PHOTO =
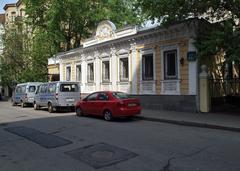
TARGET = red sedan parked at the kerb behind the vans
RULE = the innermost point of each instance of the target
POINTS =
(108, 104)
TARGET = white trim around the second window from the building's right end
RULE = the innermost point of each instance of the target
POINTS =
(146, 52)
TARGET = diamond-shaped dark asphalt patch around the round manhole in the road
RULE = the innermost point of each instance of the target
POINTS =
(101, 155)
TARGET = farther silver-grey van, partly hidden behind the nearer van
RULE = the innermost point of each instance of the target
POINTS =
(24, 93)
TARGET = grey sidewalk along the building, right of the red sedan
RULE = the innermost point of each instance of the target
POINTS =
(207, 120)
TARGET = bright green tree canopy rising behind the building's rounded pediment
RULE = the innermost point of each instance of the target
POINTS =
(68, 22)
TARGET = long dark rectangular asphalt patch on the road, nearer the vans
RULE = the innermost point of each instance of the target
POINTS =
(41, 138)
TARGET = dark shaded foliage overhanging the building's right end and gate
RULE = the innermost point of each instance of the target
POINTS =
(224, 37)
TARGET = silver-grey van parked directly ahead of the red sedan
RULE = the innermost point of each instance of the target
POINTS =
(57, 95)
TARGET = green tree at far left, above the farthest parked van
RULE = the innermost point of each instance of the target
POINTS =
(15, 59)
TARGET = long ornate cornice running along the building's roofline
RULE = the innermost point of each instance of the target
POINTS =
(178, 30)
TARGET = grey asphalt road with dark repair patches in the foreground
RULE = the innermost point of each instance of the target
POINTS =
(36, 140)
